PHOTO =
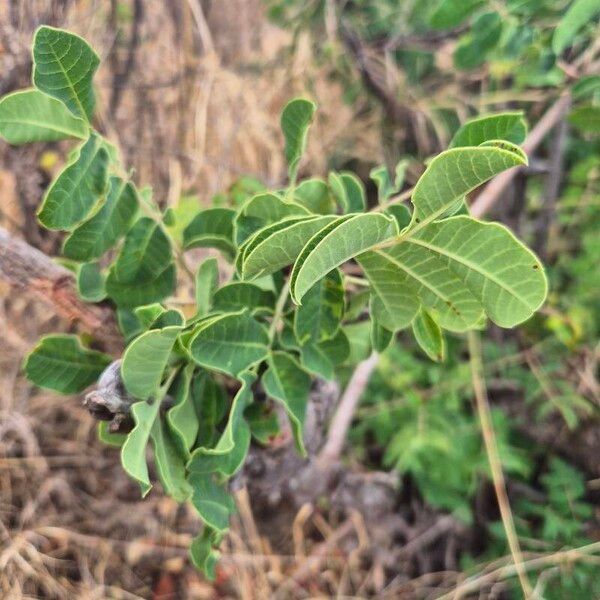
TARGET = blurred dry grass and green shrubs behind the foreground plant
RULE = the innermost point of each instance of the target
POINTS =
(191, 91)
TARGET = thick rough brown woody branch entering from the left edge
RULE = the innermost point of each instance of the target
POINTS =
(31, 271)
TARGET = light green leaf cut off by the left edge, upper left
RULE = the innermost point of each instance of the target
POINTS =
(30, 116)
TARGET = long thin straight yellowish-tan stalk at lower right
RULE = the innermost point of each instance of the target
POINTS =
(491, 447)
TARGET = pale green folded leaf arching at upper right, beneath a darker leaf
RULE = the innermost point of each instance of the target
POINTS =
(456, 172)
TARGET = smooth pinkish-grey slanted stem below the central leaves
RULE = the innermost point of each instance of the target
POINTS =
(343, 416)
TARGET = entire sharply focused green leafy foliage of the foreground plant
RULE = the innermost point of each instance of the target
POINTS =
(290, 311)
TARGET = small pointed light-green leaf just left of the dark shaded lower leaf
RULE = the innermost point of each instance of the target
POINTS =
(181, 417)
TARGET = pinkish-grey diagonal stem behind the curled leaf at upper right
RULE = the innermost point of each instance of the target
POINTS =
(493, 191)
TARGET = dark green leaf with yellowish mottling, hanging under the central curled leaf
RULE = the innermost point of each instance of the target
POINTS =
(319, 316)
